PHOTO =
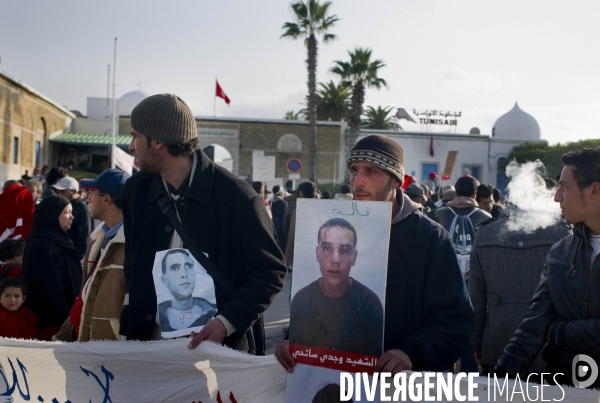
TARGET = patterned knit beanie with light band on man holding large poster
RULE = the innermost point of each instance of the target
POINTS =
(382, 151)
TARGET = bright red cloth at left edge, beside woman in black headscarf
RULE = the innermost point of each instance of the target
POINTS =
(16, 220)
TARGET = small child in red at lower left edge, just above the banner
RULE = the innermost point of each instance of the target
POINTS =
(16, 320)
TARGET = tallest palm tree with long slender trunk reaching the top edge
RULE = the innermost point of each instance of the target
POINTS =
(311, 20)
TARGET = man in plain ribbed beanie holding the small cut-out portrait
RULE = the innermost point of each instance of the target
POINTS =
(222, 216)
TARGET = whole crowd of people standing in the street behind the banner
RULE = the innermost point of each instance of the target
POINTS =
(462, 286)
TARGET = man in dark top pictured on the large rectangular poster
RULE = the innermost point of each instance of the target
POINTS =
(336, 311)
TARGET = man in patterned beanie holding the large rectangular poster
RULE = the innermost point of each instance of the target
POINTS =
(428, 315)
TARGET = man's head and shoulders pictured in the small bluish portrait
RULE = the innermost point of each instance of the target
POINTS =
(184, 310)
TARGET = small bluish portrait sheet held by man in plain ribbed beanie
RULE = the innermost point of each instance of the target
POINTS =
(185, 293)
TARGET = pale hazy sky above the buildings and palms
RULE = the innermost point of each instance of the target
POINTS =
(475, 57)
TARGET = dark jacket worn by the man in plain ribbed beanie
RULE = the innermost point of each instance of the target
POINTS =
(229, 222)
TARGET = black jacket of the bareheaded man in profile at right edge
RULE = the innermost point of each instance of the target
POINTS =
(565, 310)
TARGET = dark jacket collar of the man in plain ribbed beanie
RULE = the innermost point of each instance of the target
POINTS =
(201, 184)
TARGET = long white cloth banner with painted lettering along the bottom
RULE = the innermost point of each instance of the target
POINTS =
(167, 371)
